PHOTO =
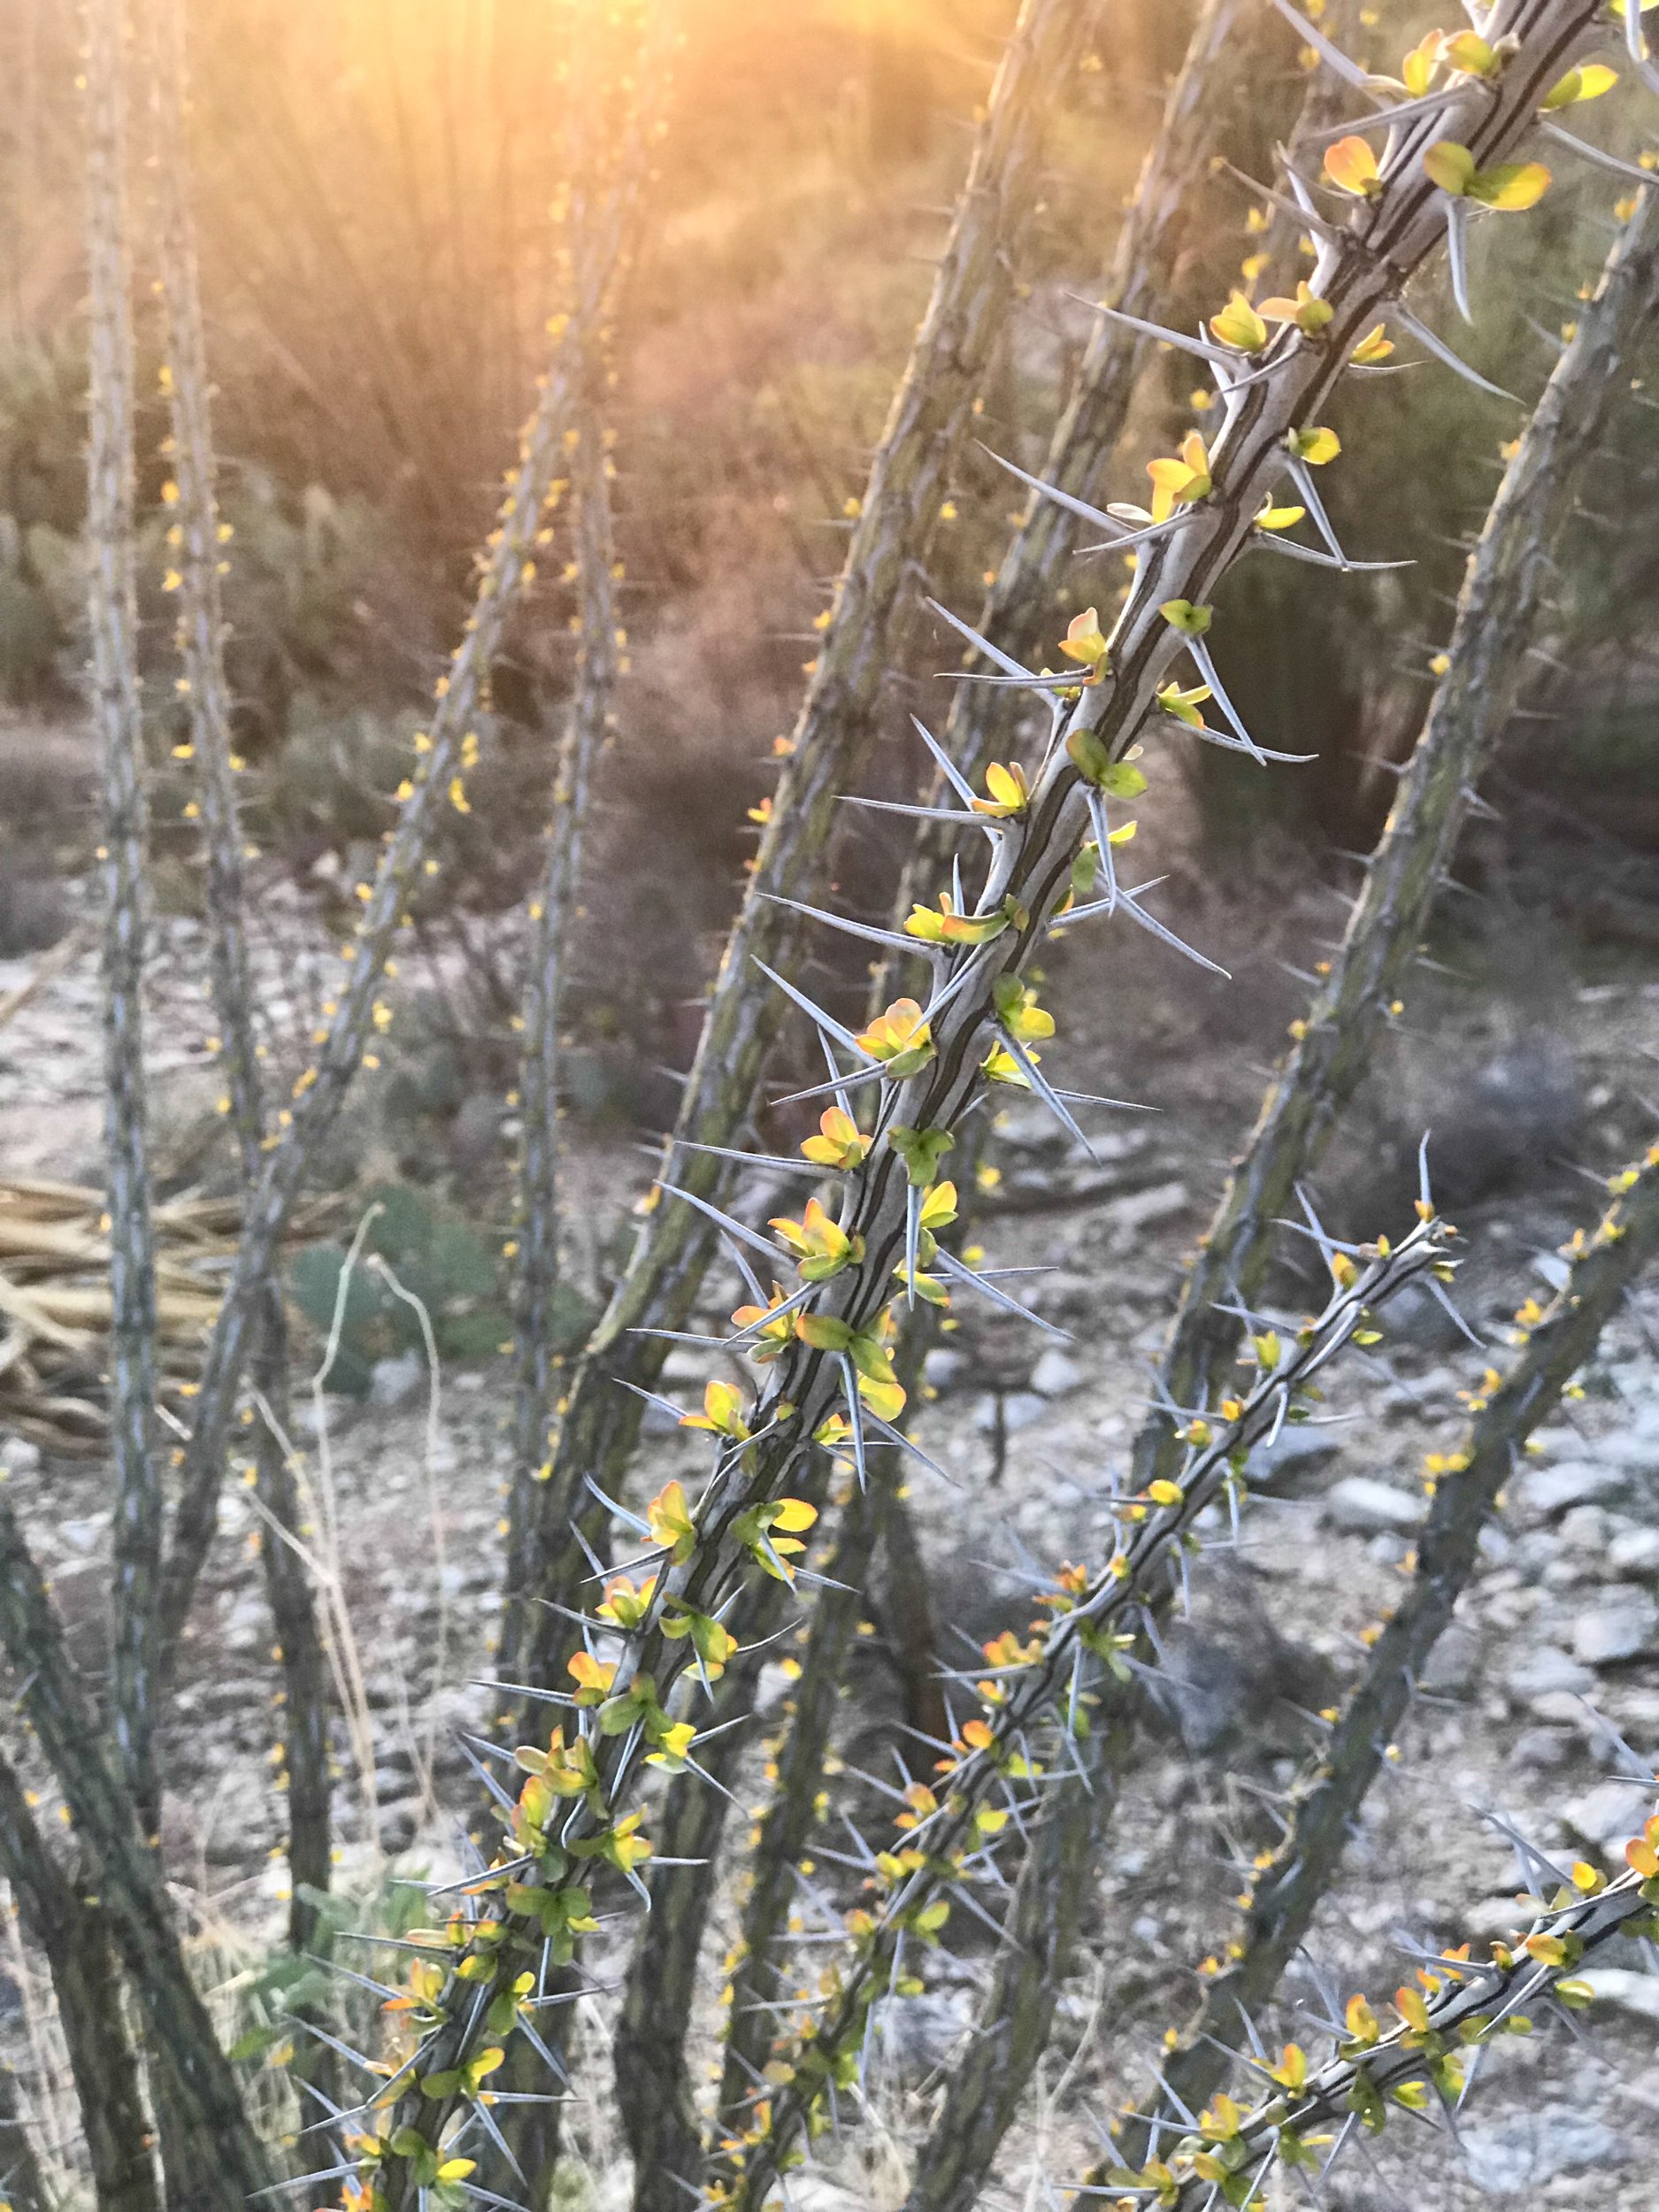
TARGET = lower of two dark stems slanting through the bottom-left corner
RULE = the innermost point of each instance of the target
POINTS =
(65, 1926)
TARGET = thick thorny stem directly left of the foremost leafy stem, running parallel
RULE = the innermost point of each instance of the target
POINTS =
(870, 614)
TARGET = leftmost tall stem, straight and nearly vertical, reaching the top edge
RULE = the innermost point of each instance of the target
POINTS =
(116, 711)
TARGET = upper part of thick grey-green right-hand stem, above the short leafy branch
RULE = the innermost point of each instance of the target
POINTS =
(1499, 607)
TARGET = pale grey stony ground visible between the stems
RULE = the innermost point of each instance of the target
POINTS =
(1552, 1662)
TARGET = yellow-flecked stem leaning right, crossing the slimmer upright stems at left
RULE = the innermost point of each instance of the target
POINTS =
(437, 782)
